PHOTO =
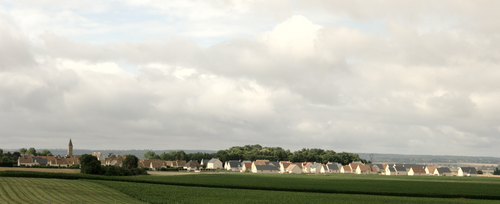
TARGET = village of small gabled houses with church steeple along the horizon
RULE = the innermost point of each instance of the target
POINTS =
(257, 166)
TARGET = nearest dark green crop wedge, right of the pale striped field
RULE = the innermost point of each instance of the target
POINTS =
(160, 193)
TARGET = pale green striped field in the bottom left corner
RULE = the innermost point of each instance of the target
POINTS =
(41, 190)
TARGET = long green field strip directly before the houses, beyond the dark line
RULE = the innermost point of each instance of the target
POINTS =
(414, 186)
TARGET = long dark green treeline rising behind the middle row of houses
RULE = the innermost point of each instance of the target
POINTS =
(256, 152)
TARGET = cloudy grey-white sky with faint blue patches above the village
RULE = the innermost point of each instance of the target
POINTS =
(378, 76)
